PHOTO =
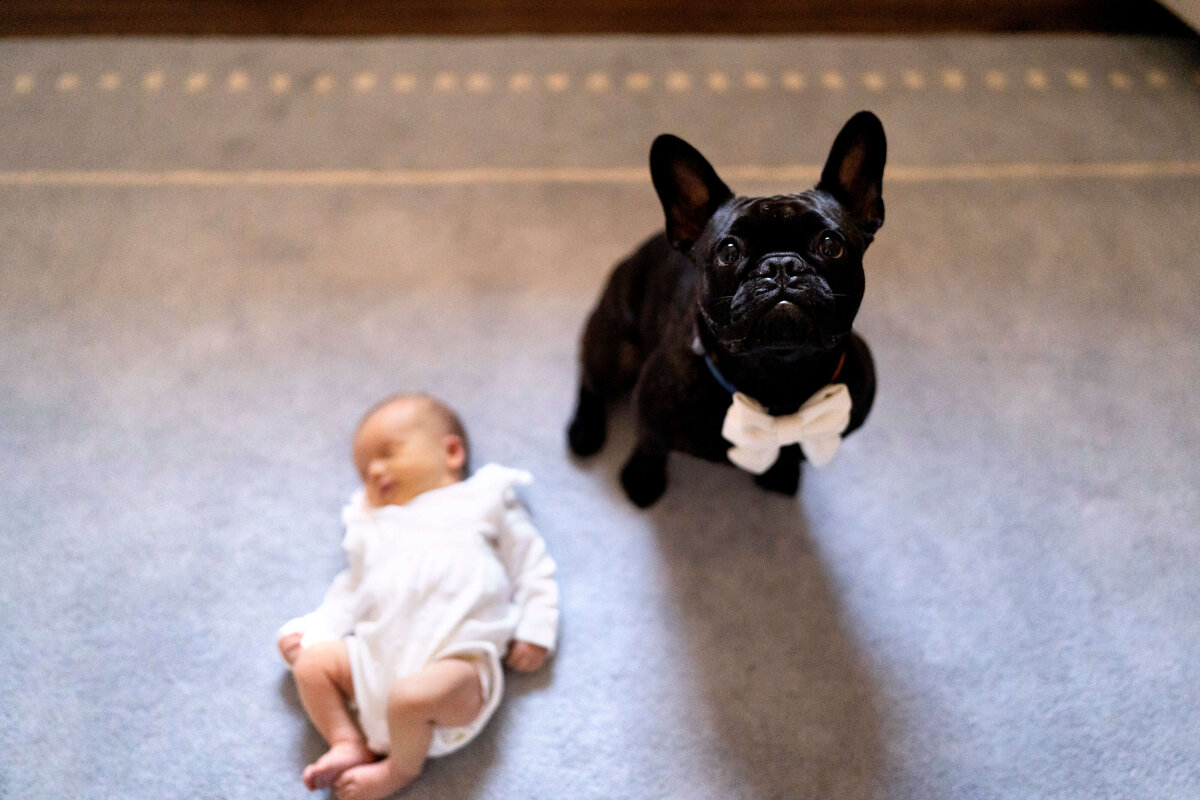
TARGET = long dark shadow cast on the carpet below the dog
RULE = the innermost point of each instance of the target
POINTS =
(779, 670)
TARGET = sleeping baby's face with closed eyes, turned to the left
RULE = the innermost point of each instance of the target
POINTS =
(403, 452)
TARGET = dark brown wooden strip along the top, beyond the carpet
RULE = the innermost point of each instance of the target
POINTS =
(484, 17)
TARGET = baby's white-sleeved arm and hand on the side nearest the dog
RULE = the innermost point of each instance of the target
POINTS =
(535, 590)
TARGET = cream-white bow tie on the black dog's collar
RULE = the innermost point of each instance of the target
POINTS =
(757, 436)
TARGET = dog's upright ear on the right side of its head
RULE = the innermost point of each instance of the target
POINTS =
(854, 173)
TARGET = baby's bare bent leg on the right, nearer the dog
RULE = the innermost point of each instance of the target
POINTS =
(445, 694)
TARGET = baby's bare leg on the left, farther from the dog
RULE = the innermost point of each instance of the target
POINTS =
(323, 678)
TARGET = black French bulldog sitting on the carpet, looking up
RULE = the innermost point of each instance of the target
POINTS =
(754, 297)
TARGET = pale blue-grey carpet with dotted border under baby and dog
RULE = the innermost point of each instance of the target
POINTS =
(217, 255)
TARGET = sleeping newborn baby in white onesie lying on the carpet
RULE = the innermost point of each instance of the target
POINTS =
(447, 575)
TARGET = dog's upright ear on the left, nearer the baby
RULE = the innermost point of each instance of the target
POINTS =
(688, 187)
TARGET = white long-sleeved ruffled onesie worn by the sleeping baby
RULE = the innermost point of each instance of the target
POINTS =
(458, 572)
